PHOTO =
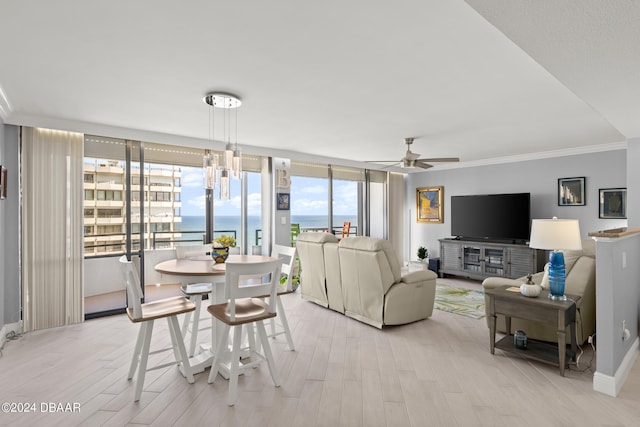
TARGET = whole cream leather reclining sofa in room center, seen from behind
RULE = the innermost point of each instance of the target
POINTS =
(363, 280)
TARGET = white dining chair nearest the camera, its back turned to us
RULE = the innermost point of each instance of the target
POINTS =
(246, 307)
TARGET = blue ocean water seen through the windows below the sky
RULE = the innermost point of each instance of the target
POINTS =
(227, 224)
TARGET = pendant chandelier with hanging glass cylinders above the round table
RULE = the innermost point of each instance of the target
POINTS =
(215, 171)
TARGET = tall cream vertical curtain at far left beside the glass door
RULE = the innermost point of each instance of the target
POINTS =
(52, 228)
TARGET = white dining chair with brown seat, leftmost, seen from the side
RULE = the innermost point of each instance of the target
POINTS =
(146, 314)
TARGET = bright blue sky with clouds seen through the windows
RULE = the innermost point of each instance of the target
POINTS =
(308, 196)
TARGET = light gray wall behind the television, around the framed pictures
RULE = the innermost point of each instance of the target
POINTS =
(538, 177)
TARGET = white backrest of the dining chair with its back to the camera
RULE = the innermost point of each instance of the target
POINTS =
(248, 280)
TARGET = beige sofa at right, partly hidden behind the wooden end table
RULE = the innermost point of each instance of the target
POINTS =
(580, 270)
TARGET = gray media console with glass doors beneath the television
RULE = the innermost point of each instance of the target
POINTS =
(479, 260)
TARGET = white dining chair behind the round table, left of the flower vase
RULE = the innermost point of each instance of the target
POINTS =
(195, 292)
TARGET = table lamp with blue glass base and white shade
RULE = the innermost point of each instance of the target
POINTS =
(556, 235)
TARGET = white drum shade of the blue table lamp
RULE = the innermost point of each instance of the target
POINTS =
(552, 234)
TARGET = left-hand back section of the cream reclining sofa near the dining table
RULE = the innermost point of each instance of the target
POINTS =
(313, 272)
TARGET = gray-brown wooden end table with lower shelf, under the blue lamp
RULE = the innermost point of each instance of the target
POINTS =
(508, 301)
